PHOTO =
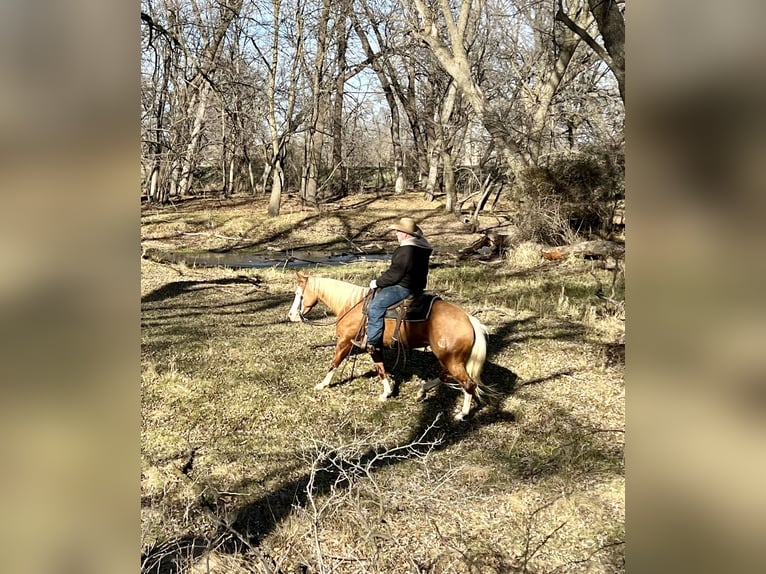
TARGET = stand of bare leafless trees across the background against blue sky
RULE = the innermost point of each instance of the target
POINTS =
(230, 87)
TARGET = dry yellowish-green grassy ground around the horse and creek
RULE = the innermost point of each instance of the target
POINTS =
(246, 468)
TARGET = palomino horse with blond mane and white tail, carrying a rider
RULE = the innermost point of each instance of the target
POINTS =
(456, 338)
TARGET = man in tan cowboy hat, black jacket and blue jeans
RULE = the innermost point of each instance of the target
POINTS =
(406, 276)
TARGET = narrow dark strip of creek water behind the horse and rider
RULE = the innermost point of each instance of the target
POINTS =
(240, 260)
